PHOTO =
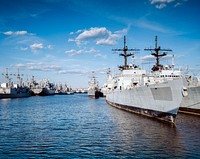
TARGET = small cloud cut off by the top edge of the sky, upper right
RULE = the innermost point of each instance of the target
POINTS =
(160, 4)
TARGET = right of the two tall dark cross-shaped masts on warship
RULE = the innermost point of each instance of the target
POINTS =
(157, 55)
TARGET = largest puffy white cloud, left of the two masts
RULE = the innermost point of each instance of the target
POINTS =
(99, 35)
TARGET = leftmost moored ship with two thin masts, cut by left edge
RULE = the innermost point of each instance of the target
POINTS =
(10, 90)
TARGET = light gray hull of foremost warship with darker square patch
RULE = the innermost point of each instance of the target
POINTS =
(160, 101)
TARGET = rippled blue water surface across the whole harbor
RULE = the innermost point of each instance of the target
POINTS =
(76, 126)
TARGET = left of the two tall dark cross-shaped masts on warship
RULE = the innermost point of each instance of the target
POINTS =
(125, 54)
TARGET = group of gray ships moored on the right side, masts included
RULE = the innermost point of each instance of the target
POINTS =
(159, 94)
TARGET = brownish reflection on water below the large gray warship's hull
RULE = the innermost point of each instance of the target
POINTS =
(132, 129)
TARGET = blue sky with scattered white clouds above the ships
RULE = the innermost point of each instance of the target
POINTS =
(65, 40)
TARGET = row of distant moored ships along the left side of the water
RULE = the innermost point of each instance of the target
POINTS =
(30, 88)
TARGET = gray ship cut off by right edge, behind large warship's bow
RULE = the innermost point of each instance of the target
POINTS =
(191, 104)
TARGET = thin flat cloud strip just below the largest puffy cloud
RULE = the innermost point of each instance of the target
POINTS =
(73, 52)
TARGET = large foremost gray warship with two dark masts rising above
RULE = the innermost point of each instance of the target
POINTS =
(156, 95)
